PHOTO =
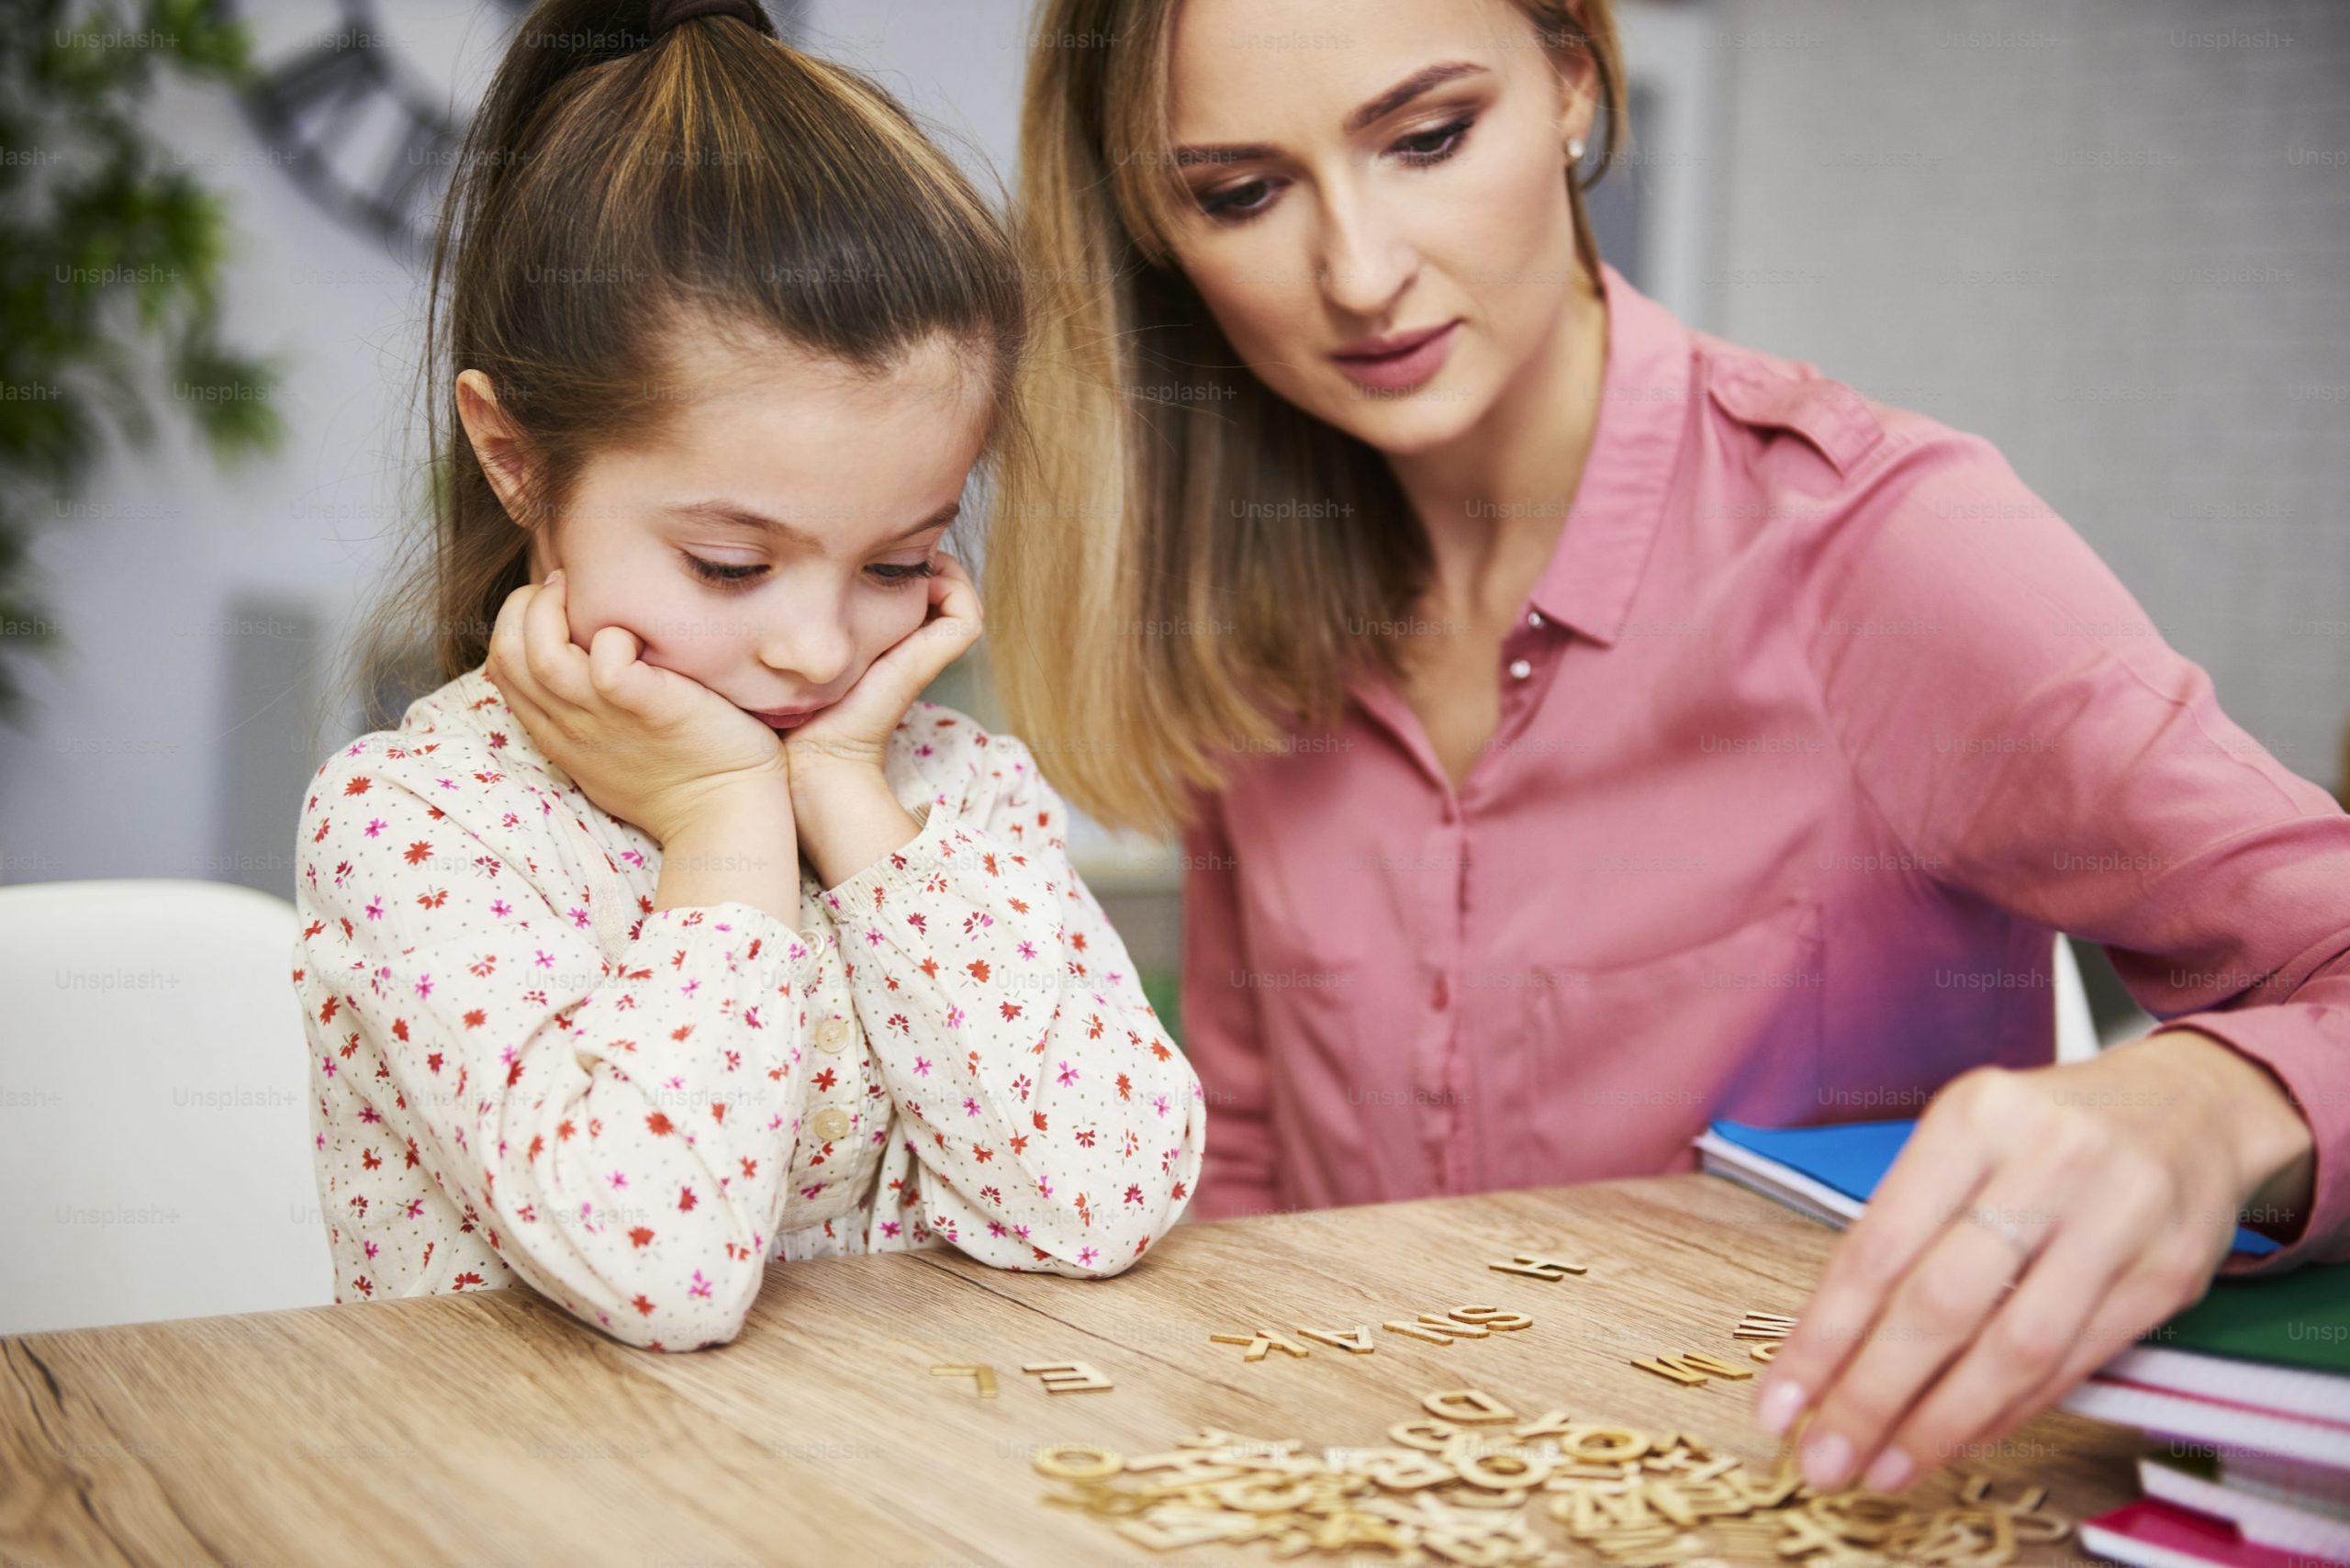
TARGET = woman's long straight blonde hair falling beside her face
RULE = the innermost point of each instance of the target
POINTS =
(1188, 565)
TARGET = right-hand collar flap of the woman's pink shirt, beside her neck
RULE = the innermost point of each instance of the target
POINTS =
(1620, 500)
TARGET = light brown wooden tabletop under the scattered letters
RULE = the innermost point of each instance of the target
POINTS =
(497, 1430)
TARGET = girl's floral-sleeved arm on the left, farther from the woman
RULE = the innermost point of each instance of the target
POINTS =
(619, 1130)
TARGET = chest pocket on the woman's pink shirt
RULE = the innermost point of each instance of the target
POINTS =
(1618, 1068)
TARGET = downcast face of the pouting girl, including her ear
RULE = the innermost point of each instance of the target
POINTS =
(779, 535)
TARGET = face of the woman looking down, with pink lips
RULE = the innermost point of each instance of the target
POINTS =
(1383, 225)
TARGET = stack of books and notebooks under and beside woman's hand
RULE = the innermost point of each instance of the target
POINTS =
(2248, 1391)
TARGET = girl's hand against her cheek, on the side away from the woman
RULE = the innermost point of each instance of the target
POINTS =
(650, 746)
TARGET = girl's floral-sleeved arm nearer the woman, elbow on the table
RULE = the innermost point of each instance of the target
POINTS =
(1054, 1120)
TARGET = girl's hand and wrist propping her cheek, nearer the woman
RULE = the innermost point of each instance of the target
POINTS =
(840, 791)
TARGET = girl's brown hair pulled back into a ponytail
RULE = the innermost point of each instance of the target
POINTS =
(617, 180)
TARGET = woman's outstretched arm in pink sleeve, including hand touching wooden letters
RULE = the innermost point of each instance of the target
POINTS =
(2041, 742)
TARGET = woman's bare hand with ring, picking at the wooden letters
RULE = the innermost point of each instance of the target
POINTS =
(2034, 1226)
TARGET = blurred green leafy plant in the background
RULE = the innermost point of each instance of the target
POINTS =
(112, 260)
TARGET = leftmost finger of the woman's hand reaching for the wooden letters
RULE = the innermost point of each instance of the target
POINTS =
(1935, 1177)
